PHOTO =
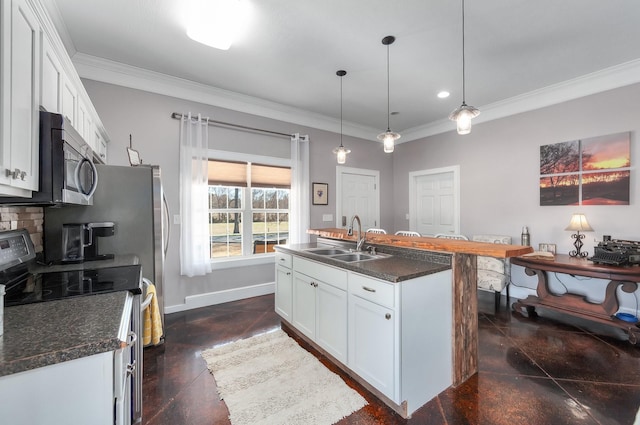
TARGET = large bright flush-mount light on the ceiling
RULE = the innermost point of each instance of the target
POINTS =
(217, 23)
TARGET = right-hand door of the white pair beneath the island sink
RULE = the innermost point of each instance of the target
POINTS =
(331, 321)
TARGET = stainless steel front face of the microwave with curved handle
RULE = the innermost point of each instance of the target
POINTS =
(80, 177)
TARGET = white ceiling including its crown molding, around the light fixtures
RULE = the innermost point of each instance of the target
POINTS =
(520, 54)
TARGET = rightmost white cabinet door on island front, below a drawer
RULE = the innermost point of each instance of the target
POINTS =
(372, 343)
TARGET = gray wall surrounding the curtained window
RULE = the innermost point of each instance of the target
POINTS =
(147, 117)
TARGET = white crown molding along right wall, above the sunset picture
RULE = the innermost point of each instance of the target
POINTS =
(607, 79)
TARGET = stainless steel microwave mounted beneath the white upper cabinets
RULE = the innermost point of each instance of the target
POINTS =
(67, 172)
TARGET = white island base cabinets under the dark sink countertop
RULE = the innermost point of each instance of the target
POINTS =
(394, 336)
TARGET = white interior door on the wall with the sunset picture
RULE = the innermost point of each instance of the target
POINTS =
(434, 201)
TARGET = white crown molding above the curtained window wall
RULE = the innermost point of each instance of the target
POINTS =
(103, 70)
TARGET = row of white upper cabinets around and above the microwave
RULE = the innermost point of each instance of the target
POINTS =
(35, 72)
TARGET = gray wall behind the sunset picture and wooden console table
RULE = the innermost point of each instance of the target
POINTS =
(499, 173)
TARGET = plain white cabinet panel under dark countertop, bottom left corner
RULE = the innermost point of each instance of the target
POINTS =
(76, 392)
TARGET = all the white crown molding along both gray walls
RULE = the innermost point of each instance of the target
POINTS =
(107, 71)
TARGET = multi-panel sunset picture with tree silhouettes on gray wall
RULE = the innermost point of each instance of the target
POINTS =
(593, 171)
